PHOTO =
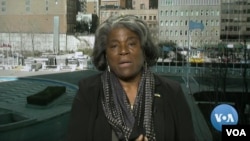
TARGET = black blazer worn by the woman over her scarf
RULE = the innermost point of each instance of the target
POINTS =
(172, 116)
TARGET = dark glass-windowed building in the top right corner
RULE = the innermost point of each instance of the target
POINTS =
(235, 20)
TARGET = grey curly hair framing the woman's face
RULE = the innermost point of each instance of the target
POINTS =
(132, 23)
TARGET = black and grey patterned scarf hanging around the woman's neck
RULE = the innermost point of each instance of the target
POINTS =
(129, 123)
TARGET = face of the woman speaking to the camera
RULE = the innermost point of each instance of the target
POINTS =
(124, 53)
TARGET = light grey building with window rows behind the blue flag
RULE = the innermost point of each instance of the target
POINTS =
(174, 18)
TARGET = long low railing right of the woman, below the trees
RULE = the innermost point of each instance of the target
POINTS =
(182, 69)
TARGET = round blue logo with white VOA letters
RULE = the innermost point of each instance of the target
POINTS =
(223, 114)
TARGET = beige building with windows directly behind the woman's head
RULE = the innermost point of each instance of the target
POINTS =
(141, 8)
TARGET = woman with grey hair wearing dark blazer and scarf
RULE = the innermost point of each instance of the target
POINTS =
(127, 102)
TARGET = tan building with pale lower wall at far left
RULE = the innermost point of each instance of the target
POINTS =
(37, 24)
